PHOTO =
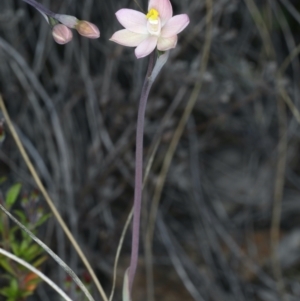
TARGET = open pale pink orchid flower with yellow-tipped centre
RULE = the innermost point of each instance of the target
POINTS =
(145, 32)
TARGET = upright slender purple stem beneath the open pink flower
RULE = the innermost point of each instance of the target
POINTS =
(139, 172)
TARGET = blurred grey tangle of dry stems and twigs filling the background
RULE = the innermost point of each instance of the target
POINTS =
(228, 224)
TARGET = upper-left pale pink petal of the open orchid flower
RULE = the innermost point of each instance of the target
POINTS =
(132, 20)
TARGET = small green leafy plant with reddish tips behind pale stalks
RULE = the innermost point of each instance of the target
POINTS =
(19, 283)
